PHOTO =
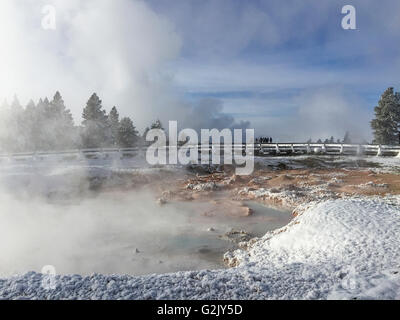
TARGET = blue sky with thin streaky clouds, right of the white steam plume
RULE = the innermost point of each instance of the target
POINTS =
(266, 59)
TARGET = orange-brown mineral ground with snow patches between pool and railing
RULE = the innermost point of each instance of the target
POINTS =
(283, 185)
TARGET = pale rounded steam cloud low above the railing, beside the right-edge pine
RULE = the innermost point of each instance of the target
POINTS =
(319, 113)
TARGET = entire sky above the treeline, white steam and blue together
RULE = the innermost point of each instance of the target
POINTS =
(283, 67)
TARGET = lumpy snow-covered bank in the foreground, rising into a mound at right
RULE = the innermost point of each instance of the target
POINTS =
(347, 248)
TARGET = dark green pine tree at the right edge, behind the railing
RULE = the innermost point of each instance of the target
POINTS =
(386, 125)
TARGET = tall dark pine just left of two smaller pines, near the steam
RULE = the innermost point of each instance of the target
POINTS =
(95, 124)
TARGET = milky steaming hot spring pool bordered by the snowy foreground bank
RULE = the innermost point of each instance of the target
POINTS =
(120, 233)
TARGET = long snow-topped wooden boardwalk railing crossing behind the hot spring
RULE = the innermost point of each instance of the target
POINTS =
(270, 149)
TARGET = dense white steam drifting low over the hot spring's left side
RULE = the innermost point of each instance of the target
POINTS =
(48, 216)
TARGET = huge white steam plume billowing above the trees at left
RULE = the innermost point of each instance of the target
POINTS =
(119, 49)
